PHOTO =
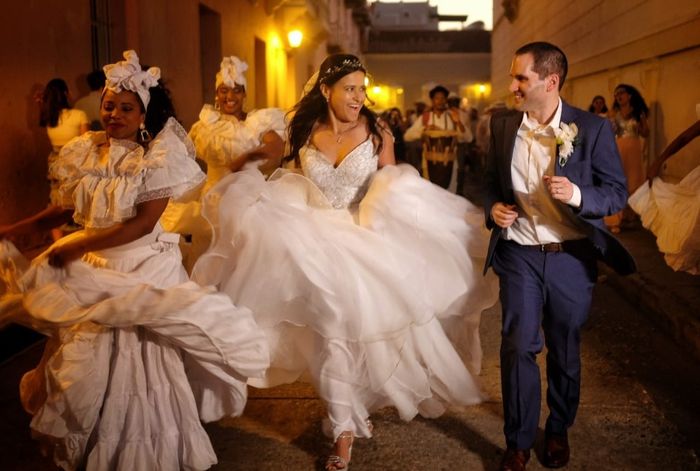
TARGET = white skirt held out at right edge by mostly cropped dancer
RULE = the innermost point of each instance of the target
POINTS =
(672, 213)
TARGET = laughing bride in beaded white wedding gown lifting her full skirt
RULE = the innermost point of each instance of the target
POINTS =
(350, 269)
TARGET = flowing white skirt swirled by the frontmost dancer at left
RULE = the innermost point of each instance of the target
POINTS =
(137, 356)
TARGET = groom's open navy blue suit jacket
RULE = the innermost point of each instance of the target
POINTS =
(594, 166)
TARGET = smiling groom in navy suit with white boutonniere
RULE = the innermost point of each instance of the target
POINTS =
(553, 172)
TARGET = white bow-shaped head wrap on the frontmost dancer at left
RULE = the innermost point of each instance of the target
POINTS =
(127, 75)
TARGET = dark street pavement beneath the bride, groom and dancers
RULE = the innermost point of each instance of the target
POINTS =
(639, 410)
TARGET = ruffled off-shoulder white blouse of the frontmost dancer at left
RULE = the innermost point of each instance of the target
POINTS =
(104, 189)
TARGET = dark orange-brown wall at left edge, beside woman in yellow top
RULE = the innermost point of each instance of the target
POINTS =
(39, 41)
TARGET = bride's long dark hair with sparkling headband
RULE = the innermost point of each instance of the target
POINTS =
(313, 106)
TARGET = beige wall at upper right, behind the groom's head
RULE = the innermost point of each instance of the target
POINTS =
(649, 44)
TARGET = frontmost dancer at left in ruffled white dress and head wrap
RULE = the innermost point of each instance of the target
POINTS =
(137, 354)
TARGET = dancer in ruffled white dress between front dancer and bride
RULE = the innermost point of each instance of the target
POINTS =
(227, 139)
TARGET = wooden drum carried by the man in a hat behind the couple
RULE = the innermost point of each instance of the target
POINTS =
(439, 155)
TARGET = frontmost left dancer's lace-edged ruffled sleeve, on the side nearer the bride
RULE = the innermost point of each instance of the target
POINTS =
(171, 167)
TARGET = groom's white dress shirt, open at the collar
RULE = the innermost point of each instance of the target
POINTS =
(541, 218)
